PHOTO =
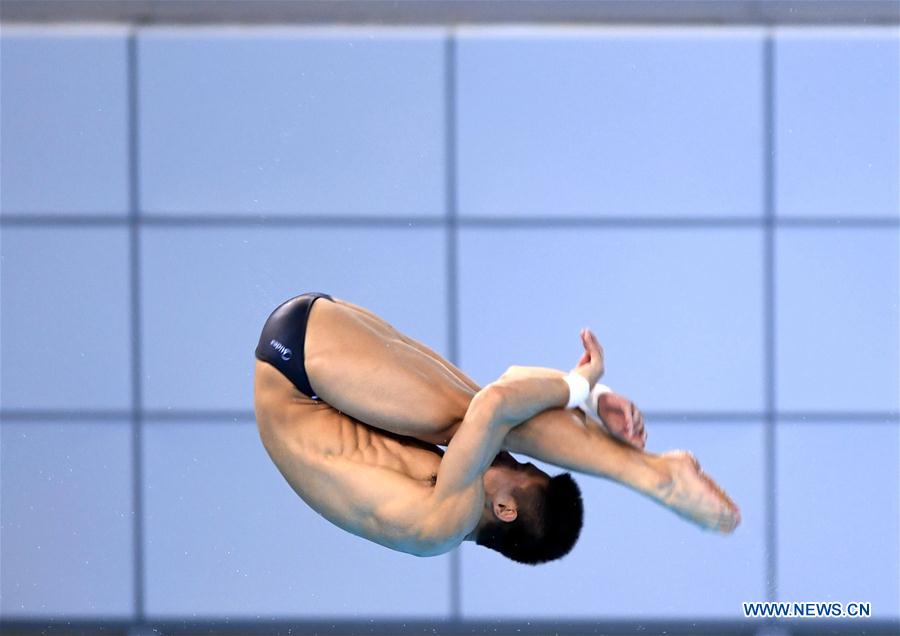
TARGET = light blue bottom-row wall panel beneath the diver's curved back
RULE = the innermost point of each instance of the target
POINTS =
(226, 536)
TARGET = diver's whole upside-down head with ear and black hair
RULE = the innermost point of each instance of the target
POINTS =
(529, 516)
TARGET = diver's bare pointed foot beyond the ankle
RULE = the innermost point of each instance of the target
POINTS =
(695, 496)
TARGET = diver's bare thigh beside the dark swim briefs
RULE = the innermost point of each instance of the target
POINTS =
(366, 370)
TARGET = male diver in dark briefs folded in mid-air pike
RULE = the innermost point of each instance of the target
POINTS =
(353, 413)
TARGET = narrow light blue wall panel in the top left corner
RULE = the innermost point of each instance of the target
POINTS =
(64, 121)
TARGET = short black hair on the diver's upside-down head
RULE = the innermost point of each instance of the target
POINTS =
(547, 526)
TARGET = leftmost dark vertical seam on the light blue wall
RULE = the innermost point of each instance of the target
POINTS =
(135, 307)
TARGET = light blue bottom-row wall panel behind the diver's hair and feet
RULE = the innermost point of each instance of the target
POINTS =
(636, 559)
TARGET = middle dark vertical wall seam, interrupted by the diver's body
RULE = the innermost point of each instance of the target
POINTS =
(452, 265)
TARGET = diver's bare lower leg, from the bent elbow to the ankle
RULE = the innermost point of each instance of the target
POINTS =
(562, 438)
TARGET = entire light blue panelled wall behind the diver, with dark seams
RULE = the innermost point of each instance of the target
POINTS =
(615, 178)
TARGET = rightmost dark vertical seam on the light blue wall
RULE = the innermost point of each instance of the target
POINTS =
(769, 148)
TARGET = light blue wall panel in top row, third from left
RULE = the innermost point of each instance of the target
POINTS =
(610, 123)
